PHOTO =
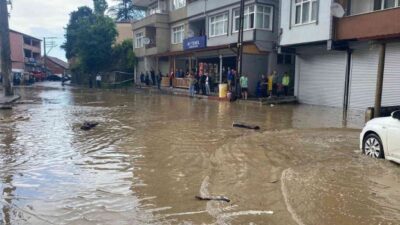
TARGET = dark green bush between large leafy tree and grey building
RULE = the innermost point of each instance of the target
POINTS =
(124, 58)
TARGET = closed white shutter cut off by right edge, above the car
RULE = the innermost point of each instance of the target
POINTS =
(391, 80)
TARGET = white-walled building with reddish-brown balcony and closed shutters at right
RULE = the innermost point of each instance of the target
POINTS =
(337, 55)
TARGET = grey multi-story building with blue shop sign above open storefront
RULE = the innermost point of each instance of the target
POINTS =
(202, 35)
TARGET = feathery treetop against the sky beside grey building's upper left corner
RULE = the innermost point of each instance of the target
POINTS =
(125, 11)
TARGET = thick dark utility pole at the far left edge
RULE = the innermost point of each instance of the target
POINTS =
(5, 49)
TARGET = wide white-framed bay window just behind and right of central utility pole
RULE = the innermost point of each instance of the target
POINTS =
(259, 17)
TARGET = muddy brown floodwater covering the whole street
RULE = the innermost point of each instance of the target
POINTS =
(152, 154)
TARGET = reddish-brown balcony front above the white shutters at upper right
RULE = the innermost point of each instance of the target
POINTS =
(369, 26)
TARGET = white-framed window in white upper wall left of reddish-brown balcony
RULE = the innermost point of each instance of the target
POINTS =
(306, 11)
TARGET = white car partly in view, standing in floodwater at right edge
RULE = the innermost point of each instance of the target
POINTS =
(380, 138)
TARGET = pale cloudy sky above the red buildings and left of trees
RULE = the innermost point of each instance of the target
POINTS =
(45, 18)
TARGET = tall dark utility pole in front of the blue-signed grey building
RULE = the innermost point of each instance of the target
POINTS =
(240, 48)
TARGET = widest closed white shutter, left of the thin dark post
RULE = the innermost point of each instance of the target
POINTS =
(322, 78)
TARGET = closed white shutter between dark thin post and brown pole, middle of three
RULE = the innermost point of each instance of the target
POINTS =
(363, 78)
